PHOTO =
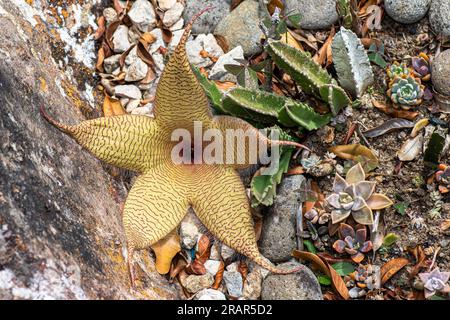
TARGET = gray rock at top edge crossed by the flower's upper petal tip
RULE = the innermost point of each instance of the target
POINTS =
(207, 22)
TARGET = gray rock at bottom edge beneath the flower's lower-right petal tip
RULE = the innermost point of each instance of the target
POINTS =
(297, 286)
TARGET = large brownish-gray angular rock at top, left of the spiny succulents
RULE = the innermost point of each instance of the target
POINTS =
(241, 28)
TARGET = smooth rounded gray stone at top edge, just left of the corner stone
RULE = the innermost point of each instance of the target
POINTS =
(407, 11)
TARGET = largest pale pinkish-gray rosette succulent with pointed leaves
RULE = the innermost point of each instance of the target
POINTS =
(355, 196)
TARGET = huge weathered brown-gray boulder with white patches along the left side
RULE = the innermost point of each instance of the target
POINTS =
(60, 216)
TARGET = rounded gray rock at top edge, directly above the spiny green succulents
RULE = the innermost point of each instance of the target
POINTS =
(316, 14)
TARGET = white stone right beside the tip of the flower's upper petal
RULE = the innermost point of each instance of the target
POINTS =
(203, 42)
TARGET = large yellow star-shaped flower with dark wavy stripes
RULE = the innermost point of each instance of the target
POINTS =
(164, 191)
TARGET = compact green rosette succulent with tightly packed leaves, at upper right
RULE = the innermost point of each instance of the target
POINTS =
(406, 92)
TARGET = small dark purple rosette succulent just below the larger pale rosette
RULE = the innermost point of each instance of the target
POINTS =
(354, 243)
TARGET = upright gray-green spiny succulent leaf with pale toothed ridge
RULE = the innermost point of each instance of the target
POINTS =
(351, 62)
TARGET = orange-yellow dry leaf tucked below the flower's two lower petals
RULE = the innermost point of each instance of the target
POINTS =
(165, 250)
